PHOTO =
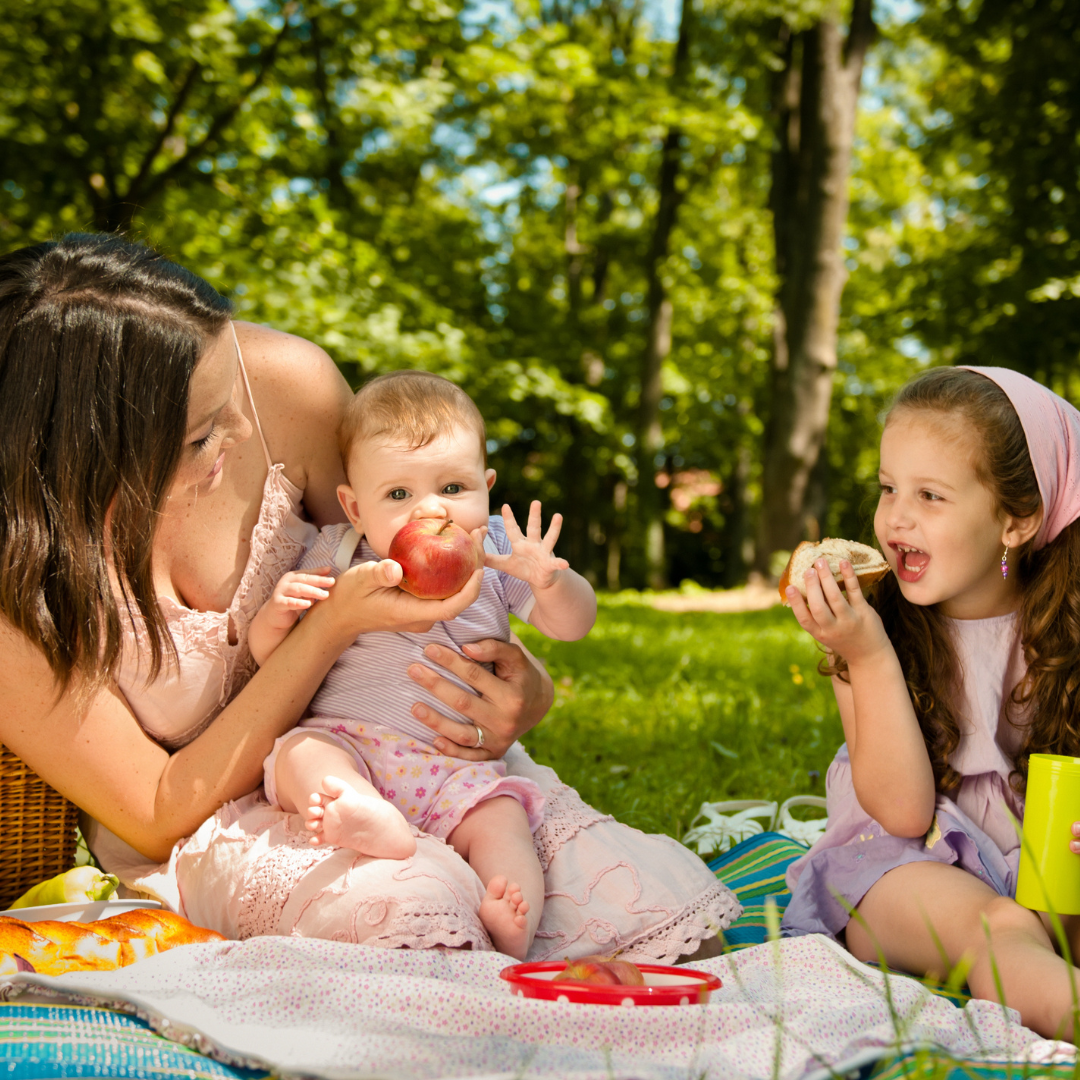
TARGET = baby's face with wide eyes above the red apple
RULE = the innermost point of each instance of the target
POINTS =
(390, 485)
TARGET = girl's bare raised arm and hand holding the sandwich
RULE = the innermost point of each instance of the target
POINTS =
(890, 766)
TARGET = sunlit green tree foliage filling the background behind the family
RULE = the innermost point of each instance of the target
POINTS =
(409, 186)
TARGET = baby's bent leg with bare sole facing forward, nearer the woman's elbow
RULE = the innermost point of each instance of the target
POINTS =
(318, 778)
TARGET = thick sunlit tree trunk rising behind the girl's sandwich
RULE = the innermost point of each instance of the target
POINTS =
(815, 101)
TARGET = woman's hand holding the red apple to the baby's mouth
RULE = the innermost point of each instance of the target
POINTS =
(367, 598)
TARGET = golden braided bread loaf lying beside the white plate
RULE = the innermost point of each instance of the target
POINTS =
(52, 949)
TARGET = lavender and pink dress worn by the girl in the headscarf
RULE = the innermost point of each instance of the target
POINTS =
(975, 830)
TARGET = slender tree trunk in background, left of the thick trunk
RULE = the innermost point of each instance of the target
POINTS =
(651, 439)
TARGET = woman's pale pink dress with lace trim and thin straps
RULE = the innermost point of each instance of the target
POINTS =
(251, 871)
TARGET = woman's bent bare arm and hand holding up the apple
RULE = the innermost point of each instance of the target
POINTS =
(96, 754)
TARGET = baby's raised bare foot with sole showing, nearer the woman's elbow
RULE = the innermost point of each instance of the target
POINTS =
(343, 817)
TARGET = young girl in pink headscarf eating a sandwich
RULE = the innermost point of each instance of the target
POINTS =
(965, 665)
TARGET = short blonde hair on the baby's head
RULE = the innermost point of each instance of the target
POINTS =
(413, 408)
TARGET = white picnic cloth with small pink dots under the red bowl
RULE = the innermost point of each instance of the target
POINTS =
(794, 1009)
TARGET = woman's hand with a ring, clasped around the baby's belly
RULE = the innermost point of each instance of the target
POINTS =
(511, 701)
